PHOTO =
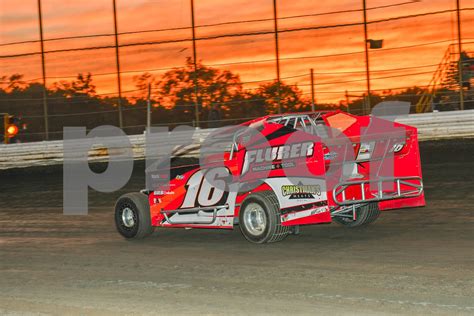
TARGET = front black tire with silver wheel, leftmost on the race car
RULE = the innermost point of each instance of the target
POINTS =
(136, 222)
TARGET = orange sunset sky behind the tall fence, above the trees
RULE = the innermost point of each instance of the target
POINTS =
(335, 54)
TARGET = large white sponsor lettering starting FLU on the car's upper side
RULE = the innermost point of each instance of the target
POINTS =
(271, 154)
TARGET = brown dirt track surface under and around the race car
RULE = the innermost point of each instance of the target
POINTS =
(413, 261)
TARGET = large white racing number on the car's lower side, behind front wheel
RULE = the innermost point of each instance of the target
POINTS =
(201, 192)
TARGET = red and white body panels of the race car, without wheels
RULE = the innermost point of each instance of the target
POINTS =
(295, 165)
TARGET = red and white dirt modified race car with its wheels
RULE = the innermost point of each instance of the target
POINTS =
(275, 173)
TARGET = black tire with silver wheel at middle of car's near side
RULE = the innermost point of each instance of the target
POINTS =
(272, 231)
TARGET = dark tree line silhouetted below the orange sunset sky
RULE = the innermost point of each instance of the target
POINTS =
(173, 97)
